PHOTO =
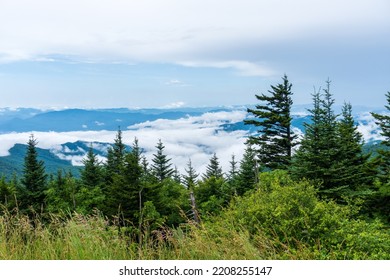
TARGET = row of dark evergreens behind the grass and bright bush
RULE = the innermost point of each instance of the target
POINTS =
(132, 192)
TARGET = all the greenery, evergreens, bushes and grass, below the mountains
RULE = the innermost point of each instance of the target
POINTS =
(320, 196)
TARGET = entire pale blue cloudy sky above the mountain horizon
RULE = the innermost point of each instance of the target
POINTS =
(175, 53)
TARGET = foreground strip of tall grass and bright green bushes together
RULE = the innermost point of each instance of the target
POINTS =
(282, 219)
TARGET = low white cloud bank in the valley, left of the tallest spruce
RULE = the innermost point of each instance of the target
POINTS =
(192, 137)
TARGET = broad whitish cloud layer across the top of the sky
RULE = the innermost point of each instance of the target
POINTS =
(174, 30)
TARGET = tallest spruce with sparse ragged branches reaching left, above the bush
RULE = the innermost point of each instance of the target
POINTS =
(272, 117)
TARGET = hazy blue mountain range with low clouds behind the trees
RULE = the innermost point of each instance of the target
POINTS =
(173, 124)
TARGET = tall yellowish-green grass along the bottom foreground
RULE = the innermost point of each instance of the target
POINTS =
(92, 237)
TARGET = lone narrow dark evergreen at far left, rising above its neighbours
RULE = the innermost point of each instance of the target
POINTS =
(34, 177)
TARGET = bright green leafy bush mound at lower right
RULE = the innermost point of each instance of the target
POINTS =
(290, 214)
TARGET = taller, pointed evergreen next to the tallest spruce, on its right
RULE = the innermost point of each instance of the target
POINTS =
(319, 151)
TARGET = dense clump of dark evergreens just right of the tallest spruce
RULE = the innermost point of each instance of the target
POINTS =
(331, 152)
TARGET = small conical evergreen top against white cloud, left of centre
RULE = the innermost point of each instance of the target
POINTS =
(161, 167)
